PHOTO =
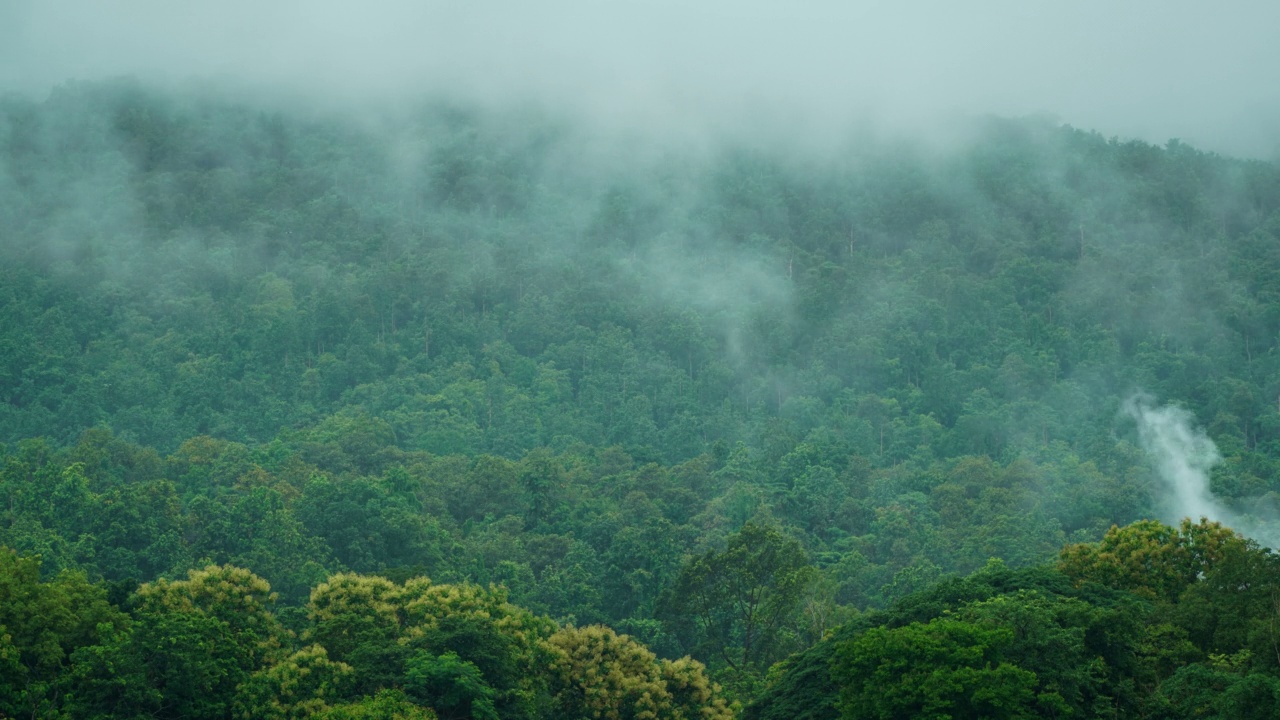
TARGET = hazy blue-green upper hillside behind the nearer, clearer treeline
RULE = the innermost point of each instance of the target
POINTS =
(496, 284)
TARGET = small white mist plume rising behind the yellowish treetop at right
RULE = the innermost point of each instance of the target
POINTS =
(1185, 457)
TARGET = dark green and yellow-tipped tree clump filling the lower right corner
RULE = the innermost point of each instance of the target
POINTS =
(1043, 642)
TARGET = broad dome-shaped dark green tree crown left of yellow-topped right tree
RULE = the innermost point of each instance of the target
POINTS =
(1057, 635)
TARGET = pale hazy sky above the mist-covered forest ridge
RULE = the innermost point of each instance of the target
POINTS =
(1205, 72)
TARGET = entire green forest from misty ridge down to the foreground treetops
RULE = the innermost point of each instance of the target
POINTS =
(473, 412)
